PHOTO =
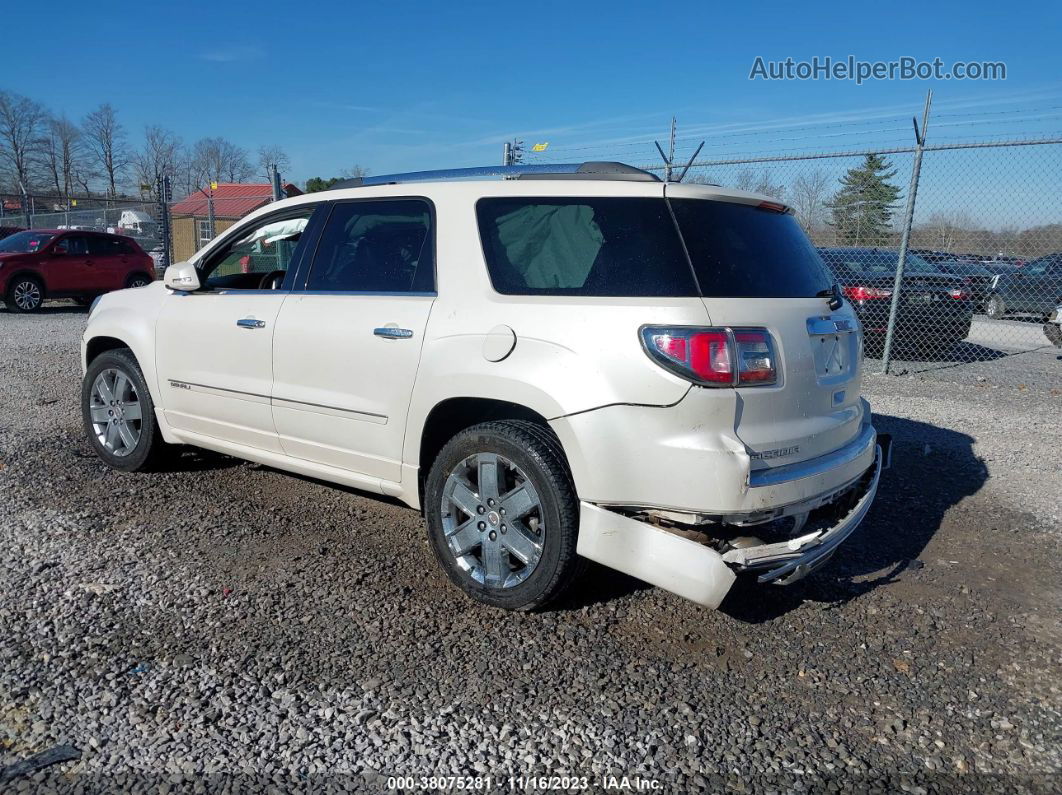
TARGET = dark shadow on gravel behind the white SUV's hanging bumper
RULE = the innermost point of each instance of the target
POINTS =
(933, 470)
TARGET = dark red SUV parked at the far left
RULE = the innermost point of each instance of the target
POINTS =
(57, 264)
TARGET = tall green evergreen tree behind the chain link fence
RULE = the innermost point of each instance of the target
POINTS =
(864, 206)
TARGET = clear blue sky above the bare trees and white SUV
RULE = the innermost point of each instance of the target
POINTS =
(408, 85)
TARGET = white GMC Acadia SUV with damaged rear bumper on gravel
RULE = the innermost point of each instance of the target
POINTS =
(573, 361)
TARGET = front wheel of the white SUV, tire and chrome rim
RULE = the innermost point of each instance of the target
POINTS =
(140, 450)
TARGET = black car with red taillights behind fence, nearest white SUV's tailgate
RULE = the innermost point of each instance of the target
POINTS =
(935, 312)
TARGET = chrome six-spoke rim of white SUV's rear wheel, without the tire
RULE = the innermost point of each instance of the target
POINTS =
(493, 521)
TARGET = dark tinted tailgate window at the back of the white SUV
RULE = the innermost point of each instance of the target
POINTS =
(740, 251)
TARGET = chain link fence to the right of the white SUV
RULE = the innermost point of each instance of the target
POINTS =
(983, 271)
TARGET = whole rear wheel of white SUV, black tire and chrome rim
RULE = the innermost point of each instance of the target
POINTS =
(492, 563)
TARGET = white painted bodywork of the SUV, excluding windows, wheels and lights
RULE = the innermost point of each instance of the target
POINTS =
(321, 395)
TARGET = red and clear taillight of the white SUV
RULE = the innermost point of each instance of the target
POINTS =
(714, 357)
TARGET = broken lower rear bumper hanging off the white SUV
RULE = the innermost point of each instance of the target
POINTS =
(699, 573)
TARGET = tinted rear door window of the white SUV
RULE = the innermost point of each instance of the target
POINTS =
(380, 247)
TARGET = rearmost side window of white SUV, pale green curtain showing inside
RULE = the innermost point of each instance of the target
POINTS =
(601, 247)
